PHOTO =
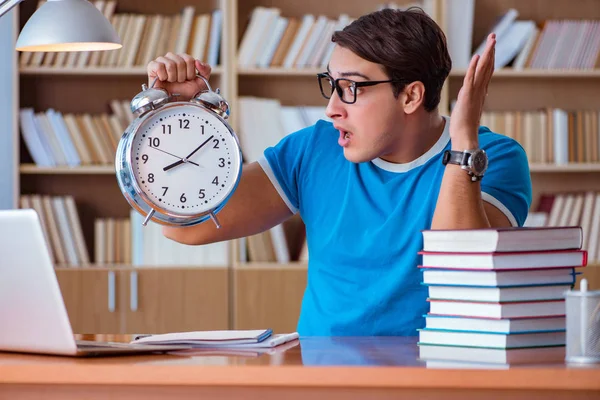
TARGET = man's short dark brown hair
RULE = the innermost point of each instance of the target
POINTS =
(408, 44)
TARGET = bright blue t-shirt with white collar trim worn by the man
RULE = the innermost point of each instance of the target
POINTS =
(364, 220)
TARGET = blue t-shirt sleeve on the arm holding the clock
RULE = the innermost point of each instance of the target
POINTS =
(283, 164)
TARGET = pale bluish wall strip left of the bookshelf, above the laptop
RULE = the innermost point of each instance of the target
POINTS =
(8, 107)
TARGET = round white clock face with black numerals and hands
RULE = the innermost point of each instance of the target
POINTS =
(185, 160)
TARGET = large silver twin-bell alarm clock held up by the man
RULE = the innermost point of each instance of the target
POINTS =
(178, 162)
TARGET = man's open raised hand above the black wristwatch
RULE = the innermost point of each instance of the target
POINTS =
(464, 124)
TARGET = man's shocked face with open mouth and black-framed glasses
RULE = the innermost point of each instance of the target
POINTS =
(370, 127)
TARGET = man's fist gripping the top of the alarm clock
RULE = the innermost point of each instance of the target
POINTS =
(177, 74)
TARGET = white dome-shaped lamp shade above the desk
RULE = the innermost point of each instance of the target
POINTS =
(68, 25)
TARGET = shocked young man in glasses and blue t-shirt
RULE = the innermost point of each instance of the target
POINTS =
(367, 184)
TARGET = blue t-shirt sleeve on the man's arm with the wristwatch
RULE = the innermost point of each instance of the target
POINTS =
(507, 183)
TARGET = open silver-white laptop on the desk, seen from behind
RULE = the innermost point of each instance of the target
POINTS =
(33, 316)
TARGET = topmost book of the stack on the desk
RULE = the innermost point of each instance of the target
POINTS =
(503, 239)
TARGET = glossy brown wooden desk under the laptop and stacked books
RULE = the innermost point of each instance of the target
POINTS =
(332, 368)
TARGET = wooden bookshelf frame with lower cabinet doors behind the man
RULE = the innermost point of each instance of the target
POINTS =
(252, 294)
